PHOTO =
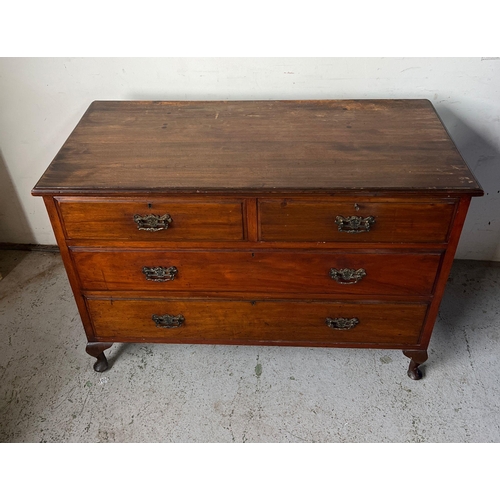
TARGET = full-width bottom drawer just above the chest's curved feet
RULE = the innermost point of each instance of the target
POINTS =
(214, 321)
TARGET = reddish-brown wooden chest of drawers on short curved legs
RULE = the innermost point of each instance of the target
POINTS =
(292, 223)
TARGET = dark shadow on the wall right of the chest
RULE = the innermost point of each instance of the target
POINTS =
(481, 234)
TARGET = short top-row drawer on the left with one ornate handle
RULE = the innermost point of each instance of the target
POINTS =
(169, 220)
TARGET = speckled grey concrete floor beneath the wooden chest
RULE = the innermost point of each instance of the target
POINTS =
(186, 393)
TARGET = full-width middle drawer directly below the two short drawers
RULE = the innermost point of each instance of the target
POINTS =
(300, 272)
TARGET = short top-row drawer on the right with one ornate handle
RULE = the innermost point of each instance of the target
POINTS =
(377, 222)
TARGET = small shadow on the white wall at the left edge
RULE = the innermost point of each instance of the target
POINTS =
(14, 226)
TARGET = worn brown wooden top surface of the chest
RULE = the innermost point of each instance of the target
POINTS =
(258, 146)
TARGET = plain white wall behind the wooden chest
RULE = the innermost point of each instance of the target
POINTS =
(42, 99)
